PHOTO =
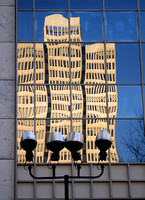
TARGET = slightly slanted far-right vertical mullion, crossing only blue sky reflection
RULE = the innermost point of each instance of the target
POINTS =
(141, 65)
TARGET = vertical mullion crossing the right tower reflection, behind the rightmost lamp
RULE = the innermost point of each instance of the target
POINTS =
(106, 84)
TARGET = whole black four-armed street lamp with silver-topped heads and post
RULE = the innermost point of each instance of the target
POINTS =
(73, 142)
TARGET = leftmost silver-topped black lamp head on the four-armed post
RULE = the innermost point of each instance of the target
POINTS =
(28, 143)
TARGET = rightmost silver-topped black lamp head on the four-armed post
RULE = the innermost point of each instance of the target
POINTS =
(103, 142)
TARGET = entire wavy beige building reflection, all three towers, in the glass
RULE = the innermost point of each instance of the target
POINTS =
(53, 65)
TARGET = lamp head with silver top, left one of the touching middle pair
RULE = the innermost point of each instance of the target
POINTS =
(55, 143)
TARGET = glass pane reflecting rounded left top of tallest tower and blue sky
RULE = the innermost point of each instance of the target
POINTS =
(51, 26)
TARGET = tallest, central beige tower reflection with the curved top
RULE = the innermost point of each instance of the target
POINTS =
(62, 96)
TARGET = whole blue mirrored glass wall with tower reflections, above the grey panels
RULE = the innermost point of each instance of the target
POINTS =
(80, 67)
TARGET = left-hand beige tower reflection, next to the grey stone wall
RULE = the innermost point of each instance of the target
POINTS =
(25, 96)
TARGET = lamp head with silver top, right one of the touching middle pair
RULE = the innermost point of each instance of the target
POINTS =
(74, 142)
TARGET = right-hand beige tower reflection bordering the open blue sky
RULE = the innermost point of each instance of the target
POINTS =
(96, 96)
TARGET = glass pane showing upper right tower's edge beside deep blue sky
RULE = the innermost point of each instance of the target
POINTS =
(124, 64)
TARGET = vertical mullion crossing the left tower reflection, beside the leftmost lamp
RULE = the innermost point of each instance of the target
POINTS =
(34, 189)
